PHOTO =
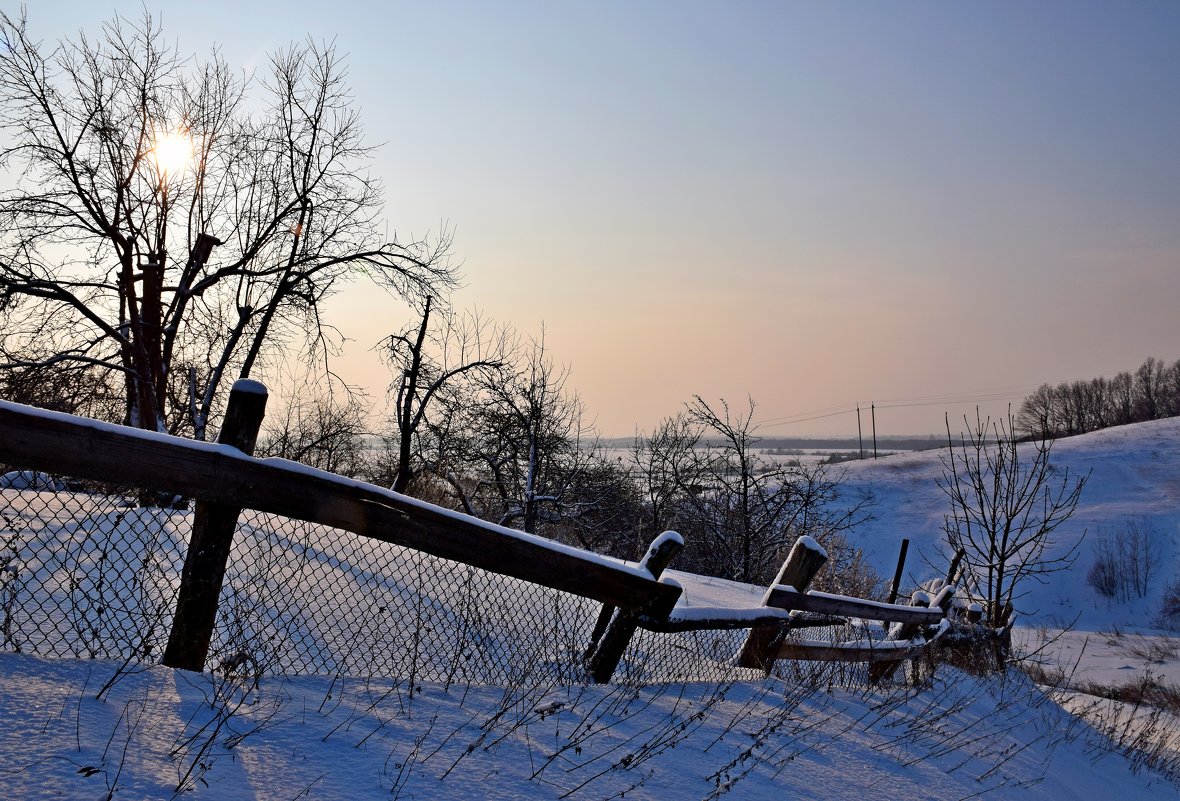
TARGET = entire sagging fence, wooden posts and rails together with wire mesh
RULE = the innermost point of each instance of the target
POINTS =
(450, 592)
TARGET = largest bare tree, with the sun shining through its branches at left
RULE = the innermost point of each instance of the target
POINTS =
(270, 208)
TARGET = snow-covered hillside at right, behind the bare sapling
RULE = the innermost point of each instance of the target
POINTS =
(1135, 481)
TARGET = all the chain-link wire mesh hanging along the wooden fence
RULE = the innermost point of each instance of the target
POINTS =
(90, 572)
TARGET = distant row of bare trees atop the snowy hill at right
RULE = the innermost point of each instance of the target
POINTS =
(1077, 408)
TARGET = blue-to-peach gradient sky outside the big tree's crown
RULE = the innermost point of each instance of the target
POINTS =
(922, 205)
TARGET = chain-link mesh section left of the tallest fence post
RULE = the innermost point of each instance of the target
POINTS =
(88, 573)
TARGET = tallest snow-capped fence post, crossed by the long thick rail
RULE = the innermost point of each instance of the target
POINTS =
(209, 544)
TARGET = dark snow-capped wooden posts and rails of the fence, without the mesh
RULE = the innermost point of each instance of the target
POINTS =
(224, 480)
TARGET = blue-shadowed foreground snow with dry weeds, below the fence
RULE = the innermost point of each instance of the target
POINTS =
(333, 738)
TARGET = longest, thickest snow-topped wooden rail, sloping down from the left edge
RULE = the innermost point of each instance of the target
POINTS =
(117, 455)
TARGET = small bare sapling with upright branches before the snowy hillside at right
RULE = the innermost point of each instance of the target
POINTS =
(1007, 501)
